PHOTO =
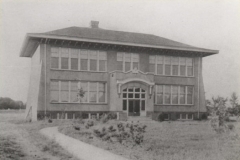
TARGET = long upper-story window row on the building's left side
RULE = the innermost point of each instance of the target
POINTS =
(77, 59)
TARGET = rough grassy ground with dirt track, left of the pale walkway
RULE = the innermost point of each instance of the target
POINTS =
(20, 140)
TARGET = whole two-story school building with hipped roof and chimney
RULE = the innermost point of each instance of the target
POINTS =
(133, 74)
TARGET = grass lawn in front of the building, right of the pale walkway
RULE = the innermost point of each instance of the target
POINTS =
(190, 140)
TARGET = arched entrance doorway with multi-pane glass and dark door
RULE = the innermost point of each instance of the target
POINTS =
(134, 100)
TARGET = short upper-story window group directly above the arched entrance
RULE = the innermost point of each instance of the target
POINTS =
(127, 61)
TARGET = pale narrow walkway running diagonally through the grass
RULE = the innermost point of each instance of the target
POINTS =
(79, 149)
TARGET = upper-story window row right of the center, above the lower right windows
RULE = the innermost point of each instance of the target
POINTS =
(170, 65)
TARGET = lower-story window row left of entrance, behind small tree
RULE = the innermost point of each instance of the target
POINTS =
(67, 92)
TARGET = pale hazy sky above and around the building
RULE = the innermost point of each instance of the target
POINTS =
(212, 24)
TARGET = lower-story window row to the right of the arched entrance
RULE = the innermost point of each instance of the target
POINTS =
(174, 94)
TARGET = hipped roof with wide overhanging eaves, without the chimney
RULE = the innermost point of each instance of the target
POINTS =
(110, 37)
